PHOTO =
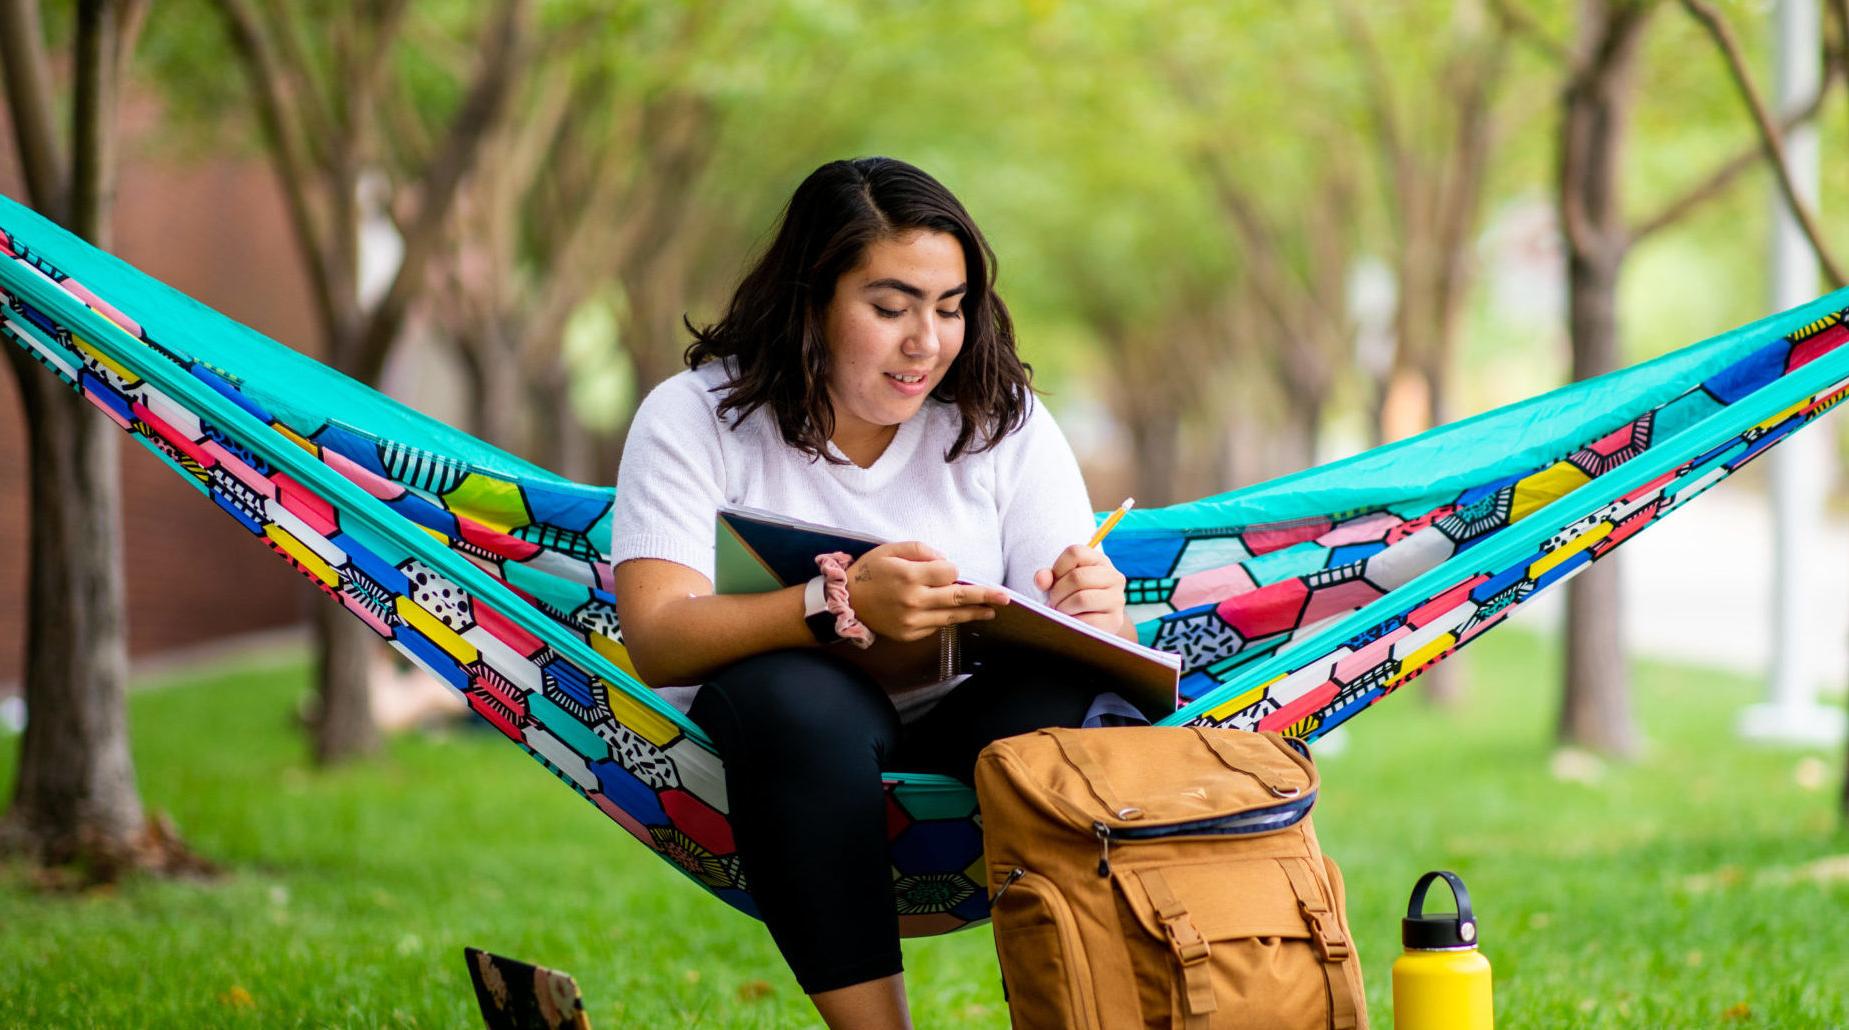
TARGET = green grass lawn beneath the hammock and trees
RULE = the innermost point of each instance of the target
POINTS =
(1706, 885)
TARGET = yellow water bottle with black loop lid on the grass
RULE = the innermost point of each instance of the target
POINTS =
(1441, 981)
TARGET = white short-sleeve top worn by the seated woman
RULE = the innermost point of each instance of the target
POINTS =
(998, 515)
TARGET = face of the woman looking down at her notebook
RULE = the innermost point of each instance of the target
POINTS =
(894, 328)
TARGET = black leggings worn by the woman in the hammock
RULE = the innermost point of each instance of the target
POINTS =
(805, 739)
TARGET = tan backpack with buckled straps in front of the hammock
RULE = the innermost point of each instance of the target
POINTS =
(1164, 877)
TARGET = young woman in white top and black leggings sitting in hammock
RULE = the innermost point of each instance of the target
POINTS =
(864, 376)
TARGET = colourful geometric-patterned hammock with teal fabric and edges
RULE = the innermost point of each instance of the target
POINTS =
(1295, 604)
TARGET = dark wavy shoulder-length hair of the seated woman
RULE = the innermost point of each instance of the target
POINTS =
(774, 326)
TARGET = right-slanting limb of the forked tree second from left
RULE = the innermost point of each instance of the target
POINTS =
(482, 108)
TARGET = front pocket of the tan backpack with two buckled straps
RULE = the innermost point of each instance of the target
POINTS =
(1234, 946)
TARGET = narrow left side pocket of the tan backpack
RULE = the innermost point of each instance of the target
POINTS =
(1046, 974)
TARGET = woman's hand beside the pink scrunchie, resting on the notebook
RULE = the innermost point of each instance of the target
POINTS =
(909, 591)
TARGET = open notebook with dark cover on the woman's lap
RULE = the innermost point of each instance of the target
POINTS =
(759, 552)
